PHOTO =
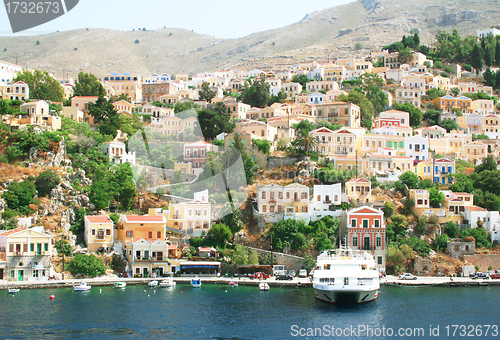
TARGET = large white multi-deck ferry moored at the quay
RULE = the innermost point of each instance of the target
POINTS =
(346, 272)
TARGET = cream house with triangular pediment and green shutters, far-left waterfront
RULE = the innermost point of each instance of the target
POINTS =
(27, 253)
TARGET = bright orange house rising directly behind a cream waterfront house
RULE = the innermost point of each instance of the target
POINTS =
(137, 226)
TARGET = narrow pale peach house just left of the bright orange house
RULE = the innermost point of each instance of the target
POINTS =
(99, 233)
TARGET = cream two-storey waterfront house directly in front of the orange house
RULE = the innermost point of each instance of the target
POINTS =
(147, 257)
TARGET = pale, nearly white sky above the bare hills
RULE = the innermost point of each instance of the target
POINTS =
(220, 18)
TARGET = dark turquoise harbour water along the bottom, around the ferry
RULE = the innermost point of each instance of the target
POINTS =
(220, 312)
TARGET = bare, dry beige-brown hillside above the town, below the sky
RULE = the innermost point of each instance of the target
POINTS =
(324, 34)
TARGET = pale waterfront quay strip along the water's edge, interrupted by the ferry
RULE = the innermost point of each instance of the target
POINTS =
(421, 281)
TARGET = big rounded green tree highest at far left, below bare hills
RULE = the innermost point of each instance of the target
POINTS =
(42, 86)
